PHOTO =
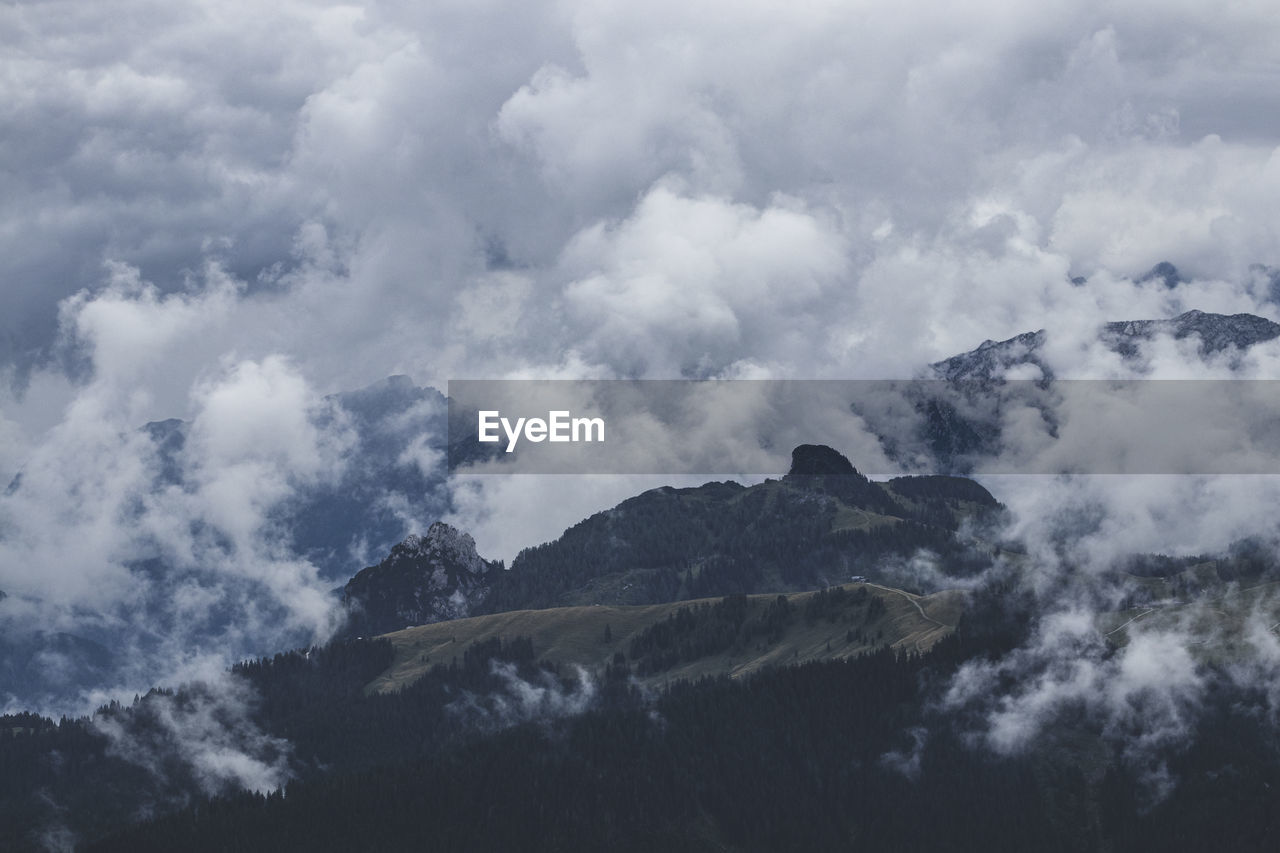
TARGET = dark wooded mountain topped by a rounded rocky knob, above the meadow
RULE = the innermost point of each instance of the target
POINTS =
(817, 527)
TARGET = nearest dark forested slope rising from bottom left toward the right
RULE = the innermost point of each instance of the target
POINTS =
(828, 756)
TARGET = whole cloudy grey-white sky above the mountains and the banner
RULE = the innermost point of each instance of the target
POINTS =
(223, 212)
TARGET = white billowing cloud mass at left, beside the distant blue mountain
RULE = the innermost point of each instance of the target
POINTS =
(100, 542)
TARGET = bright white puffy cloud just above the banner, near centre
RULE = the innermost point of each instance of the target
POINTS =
(692, 286)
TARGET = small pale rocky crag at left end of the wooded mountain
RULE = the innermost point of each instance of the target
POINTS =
(424, 580)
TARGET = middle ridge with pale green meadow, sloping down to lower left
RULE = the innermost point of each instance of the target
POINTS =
(367, 706)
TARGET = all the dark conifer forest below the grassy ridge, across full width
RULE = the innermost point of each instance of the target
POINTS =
(831, 756)
